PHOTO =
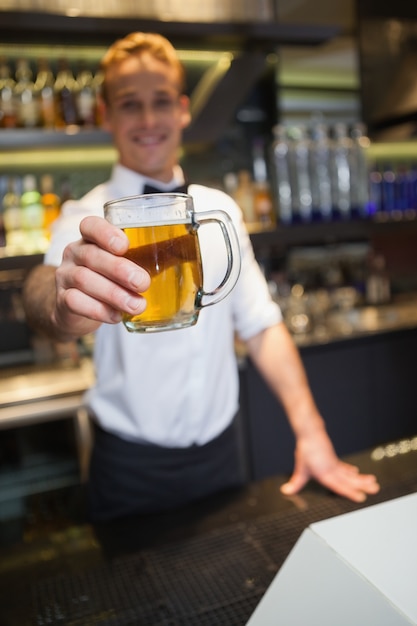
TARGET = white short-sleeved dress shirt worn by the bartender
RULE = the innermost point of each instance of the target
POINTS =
(180, 387)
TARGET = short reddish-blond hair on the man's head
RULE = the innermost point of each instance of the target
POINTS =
(138, 43)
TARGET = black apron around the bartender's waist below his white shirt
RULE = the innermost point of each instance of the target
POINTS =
(128, 478)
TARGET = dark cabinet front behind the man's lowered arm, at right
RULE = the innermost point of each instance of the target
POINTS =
(365, 389)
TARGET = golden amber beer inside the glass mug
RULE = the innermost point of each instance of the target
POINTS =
(171, 255)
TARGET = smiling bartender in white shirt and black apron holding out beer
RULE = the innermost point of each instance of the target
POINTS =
(165, 406)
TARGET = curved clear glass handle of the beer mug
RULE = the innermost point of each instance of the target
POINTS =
(233, 255)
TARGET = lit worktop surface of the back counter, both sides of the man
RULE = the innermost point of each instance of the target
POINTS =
(38, 392)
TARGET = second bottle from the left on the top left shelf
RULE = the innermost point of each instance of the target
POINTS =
(27, 103)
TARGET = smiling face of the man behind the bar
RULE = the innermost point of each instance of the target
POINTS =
(146, 115)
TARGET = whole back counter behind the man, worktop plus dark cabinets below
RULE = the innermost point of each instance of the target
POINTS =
(362, 374)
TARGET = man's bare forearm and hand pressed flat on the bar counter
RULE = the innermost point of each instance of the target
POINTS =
(277, 358)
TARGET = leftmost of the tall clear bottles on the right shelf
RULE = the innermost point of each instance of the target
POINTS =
(281, 174)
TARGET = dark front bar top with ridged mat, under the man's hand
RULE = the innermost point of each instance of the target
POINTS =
(208, 564)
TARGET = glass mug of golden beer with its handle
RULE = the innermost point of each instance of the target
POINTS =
(162, 231)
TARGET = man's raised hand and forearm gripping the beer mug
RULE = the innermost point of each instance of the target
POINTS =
(91, 286)
